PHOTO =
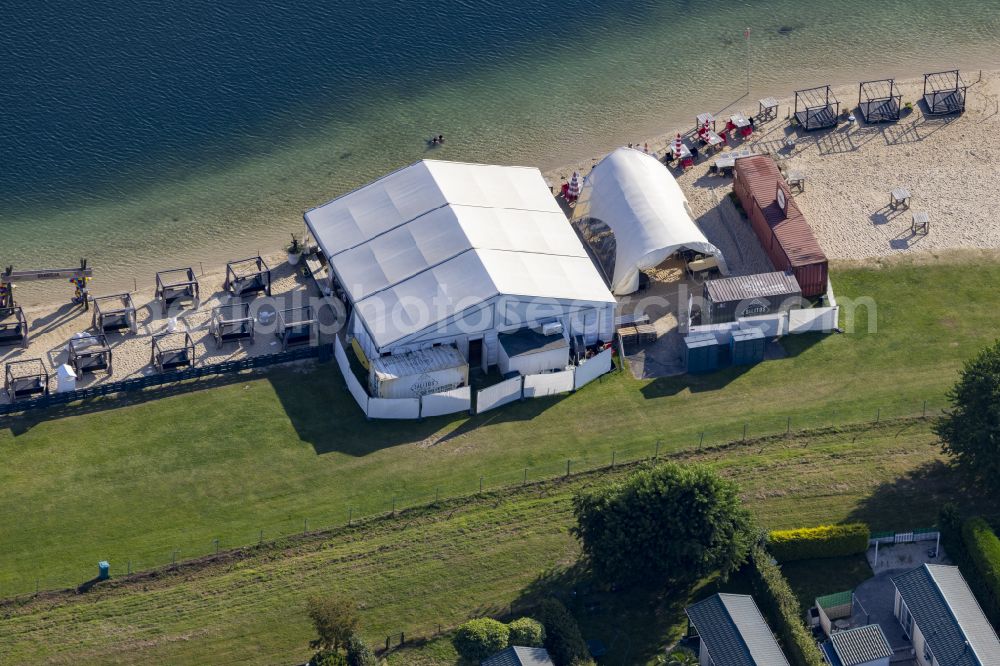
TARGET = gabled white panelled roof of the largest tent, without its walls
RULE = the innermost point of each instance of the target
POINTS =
(433, 239)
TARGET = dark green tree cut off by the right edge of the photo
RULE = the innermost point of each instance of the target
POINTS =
(970, 430)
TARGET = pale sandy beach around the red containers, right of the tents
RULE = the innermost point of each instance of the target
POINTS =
(948, 164)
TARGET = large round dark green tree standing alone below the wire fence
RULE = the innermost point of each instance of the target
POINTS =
(666, 523)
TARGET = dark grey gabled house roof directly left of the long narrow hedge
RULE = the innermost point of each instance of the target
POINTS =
(734, 631)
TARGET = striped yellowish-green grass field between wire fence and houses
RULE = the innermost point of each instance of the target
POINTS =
(477, 555)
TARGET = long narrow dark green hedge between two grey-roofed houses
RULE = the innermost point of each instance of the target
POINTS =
(781, 608)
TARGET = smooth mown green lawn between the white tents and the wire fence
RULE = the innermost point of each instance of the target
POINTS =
(139, 483)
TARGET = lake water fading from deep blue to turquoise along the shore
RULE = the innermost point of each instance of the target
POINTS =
(144, 137)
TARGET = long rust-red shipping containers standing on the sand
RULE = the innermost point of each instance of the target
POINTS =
(779, 224)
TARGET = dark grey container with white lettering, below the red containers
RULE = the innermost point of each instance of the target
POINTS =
(728, 299)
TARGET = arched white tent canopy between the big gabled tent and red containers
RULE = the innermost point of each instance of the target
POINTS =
(635, 195)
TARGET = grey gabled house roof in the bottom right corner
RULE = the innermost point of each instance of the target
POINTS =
(948, 615)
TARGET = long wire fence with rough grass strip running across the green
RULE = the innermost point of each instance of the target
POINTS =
(369, 506)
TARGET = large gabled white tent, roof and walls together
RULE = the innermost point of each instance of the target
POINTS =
(444, 253)
